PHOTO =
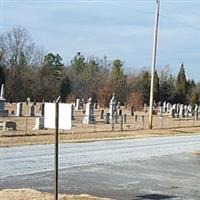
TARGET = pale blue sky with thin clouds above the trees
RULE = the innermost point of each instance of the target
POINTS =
(116, 29)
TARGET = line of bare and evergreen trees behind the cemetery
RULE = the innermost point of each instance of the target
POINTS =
(27, 71)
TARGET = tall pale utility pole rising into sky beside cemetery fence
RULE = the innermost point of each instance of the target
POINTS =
(155, 41)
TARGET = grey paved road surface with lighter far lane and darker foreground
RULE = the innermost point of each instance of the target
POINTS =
(140, 169)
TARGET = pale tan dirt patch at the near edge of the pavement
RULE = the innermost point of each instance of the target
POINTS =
(29, 194)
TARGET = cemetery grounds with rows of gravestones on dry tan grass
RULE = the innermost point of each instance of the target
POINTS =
(85, 116)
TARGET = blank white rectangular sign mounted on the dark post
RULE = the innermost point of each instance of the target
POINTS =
(65, 115)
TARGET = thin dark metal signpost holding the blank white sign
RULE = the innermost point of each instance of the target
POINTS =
(56, 151)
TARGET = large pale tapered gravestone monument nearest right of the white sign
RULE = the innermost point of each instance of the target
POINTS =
(89, 113)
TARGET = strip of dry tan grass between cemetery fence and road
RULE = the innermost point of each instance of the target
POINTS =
(48, 138)
